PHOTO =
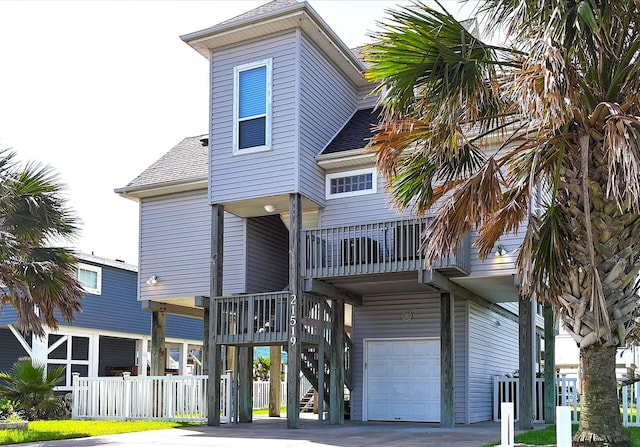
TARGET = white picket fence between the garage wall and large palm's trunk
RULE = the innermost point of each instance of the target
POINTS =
(506, 389)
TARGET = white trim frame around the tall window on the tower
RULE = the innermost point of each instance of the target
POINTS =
(236, 110)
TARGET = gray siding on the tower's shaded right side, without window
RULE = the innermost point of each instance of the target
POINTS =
(327, 101)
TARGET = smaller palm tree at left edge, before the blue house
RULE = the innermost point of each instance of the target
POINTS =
(38, 278)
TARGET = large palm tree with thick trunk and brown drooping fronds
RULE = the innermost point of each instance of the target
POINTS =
(542, 131)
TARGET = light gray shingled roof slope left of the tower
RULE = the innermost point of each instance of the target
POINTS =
(187, 161)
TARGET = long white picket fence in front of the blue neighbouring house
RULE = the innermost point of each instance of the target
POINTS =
(173, 398)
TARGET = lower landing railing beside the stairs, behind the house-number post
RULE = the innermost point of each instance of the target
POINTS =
(262, 318)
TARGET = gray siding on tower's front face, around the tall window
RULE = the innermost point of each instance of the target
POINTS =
(252, 175)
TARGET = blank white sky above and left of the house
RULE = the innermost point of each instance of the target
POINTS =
(101, 89)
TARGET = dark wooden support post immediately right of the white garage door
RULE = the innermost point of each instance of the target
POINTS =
(447, 364)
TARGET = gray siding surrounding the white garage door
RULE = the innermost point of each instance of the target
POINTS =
(381, 317)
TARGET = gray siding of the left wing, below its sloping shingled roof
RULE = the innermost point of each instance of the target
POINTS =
(175, 246)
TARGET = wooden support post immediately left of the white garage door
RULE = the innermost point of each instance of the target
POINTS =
(336, 376)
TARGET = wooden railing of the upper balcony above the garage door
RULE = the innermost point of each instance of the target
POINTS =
(379, 247)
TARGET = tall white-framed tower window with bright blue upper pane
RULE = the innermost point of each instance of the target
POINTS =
(252, 107)
